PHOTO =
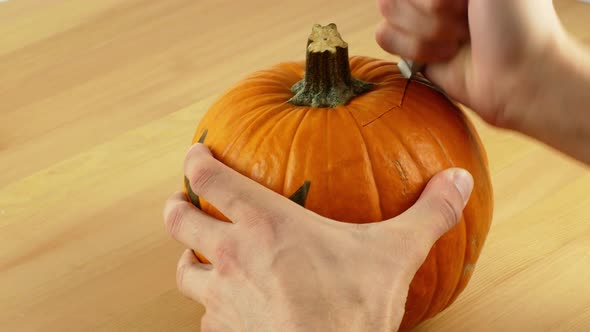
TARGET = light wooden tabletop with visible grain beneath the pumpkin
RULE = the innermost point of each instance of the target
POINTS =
(98, 103)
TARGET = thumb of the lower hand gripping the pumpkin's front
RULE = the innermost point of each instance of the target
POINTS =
(440, 206)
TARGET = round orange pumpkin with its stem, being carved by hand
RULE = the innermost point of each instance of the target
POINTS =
(355, 141)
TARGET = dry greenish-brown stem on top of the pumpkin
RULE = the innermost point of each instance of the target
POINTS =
(327, 81)
